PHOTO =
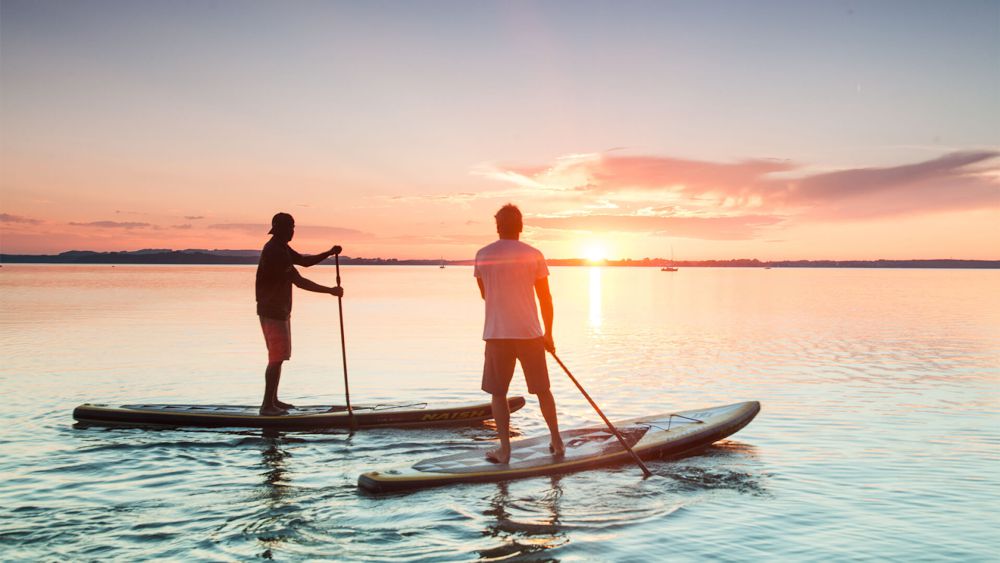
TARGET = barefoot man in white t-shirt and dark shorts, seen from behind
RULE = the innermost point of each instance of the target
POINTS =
(510, 273)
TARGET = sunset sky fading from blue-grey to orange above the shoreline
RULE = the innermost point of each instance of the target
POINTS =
(770, 130)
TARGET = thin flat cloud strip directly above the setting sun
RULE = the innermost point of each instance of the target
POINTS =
(712, 228)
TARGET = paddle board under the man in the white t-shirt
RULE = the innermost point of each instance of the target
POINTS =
(586, 448)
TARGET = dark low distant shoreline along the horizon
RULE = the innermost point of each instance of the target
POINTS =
(245, 257)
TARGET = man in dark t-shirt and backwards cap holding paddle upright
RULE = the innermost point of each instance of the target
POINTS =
(276, 274)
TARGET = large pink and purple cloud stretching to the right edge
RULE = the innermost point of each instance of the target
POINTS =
(956, 181)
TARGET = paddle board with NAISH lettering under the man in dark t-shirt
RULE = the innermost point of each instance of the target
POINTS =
(365, 416)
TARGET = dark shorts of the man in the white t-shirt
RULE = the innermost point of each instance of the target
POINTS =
(501, 355)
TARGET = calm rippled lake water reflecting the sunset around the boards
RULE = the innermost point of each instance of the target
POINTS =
(879, 435)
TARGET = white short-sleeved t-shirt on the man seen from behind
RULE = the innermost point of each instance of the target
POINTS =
(509, 270)
